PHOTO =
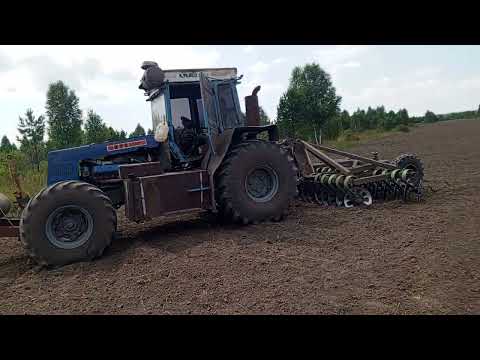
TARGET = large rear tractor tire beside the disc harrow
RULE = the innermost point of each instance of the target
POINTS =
(256, 182)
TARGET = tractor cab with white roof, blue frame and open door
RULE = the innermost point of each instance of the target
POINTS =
(191, 107)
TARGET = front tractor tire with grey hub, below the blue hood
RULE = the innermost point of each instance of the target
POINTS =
(68, 222)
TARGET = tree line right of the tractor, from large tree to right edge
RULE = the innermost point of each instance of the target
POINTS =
(310, 109)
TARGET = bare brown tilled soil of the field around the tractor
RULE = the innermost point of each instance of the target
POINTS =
(390, 258)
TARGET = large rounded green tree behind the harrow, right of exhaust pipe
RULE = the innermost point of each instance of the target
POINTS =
(309, 102)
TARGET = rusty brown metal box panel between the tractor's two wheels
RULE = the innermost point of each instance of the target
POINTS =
(173, 192)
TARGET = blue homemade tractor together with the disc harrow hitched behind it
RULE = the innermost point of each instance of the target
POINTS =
(204, 155)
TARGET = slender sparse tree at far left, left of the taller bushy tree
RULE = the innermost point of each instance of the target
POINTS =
(32, 131)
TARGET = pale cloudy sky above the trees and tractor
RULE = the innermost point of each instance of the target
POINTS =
(105, 77)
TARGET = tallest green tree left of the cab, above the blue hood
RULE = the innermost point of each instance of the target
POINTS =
(64, 117)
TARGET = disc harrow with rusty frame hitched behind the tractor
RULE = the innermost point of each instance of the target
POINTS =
(354, 180)
